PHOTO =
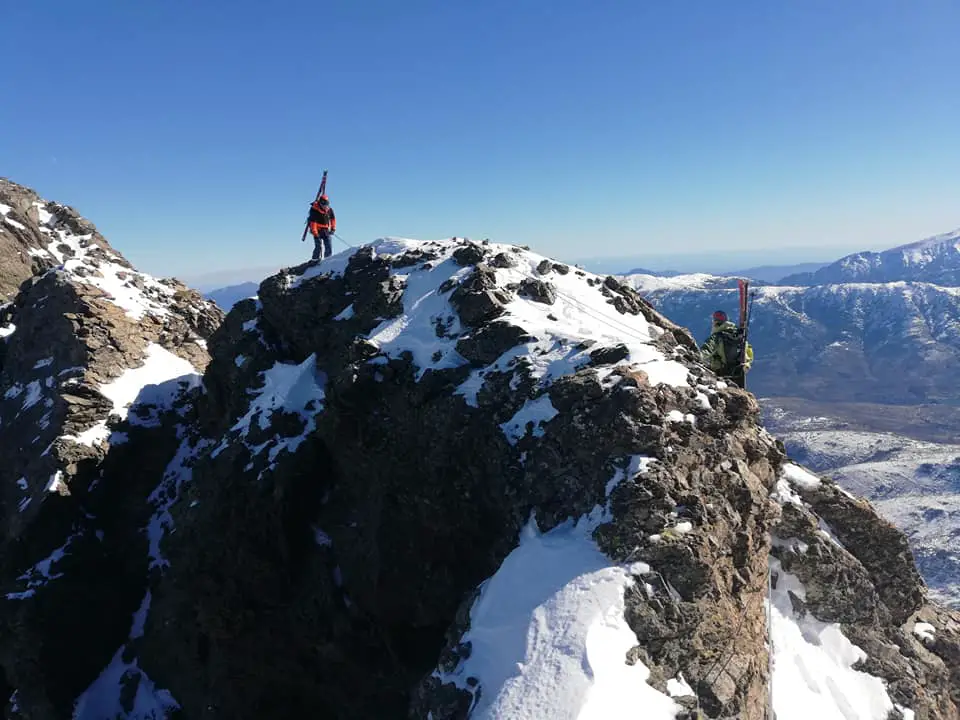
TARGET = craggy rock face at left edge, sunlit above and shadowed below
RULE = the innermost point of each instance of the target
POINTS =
(85, 338)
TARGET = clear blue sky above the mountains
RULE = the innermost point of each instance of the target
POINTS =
(194, 133)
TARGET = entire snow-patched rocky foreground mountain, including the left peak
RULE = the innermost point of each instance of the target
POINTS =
(438, 480)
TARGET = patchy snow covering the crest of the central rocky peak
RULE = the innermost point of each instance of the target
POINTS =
(579, 321)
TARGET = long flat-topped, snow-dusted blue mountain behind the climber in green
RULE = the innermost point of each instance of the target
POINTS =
(895, 342)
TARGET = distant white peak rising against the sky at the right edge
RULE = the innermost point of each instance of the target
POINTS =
(934, 260)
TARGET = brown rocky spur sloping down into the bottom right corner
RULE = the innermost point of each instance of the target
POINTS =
(845, 576)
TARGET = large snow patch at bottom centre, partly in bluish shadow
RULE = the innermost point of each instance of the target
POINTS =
(548, 635)
